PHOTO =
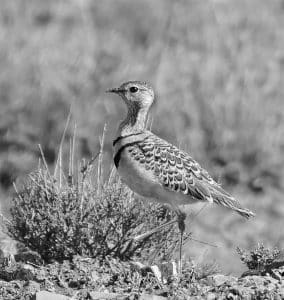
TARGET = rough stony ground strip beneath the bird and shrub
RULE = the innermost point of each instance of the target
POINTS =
(25, 277)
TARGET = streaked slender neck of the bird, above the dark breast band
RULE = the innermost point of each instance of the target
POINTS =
(135, 120)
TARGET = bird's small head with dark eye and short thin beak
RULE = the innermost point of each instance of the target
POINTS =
(135, 93)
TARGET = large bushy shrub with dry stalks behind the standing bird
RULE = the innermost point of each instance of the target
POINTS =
(62, 216)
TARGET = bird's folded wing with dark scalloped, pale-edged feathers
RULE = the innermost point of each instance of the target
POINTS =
(178, 172)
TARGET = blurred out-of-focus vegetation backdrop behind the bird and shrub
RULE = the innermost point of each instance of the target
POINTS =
(217, 67)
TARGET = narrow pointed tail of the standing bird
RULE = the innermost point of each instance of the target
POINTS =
(222, 198)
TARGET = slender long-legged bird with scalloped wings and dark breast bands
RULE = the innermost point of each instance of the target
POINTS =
(158, 170)
